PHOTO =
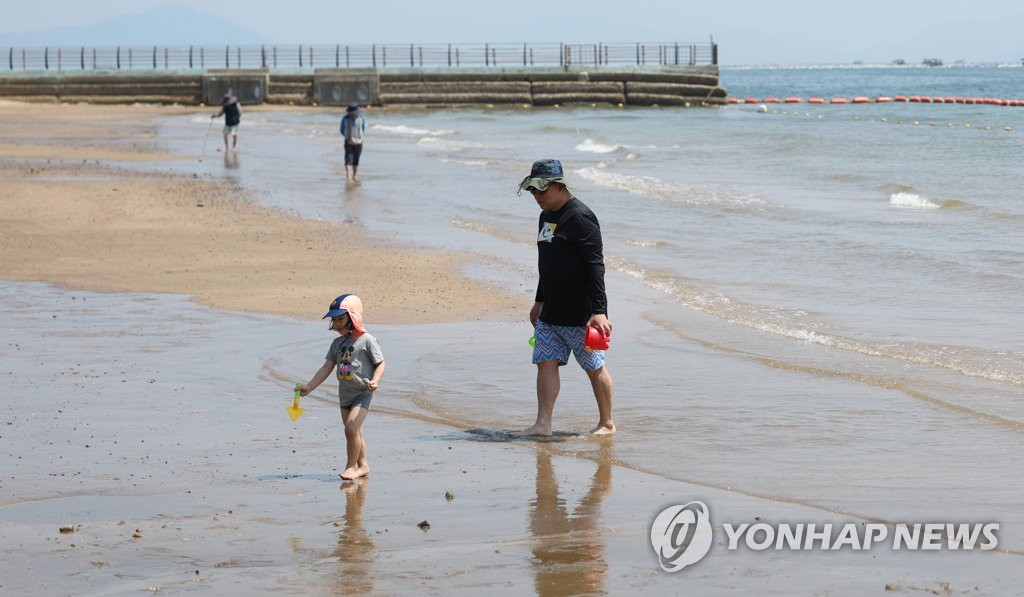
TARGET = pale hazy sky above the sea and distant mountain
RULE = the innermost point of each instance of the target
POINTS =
(748, 32)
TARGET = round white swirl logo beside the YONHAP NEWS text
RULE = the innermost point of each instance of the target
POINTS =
(681, 536)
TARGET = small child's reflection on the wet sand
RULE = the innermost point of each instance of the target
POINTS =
(356, 551)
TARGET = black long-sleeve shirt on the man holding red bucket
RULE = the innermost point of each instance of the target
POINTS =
(571, 261)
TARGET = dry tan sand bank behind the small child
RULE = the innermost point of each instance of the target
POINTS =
(69, 220)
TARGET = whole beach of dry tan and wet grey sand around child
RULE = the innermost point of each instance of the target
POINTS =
(154, 327)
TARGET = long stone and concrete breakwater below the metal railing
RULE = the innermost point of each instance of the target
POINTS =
(681, 87)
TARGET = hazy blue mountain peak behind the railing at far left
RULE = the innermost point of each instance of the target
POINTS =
(161, 26)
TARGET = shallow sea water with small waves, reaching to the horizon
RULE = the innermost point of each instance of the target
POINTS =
(818, 304)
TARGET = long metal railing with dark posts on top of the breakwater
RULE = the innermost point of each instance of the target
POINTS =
(303, 58)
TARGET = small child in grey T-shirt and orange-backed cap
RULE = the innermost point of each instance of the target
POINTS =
(360, 365)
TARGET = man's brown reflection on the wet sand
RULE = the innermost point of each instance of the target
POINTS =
(569, 547)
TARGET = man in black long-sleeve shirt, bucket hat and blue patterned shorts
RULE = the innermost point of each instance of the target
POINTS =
(570, 295)
